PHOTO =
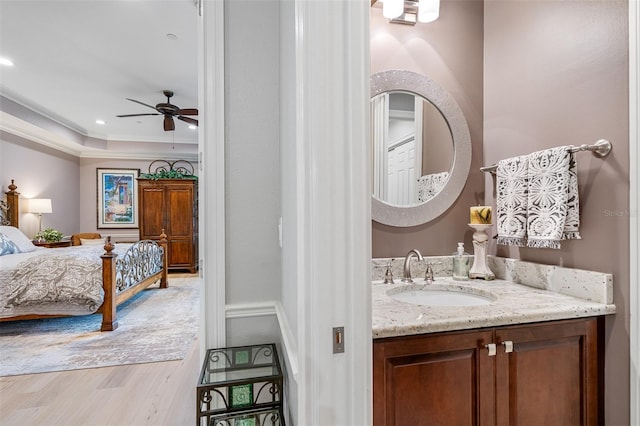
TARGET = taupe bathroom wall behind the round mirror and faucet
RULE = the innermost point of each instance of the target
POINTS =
(448, 51)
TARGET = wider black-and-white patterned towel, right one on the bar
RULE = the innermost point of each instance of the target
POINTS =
(552, 202)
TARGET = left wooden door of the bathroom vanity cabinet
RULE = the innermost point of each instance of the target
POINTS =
(436, 379)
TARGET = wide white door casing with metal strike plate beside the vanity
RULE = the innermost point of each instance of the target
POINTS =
(334, 212)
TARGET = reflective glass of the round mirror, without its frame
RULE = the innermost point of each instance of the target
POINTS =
(412, 148)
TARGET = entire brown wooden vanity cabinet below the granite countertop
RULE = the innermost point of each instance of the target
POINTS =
(535, 374)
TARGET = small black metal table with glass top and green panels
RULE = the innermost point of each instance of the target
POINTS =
(239, 383)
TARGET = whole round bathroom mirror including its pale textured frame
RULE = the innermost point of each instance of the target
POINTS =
(421, 148)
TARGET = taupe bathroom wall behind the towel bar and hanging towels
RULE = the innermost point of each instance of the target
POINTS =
(556, 73)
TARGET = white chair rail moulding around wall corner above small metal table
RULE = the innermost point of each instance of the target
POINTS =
(250, 310)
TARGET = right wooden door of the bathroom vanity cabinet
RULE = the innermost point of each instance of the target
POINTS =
(552, 375)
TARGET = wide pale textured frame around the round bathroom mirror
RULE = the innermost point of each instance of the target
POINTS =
(407, 81)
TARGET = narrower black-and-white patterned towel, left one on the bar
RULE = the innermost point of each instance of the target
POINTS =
(511, 202)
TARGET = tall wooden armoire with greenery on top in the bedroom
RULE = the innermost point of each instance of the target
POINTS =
(172, 205)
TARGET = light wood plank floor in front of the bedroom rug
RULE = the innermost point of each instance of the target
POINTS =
(161, 393)
